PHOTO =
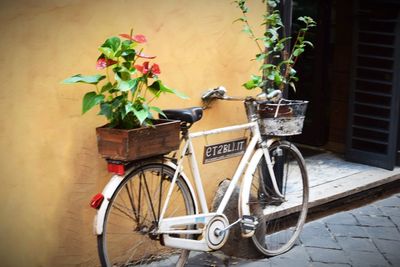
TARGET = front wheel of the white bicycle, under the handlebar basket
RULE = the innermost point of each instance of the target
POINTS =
(282, 218)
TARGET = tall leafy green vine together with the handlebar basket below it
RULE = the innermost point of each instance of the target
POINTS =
(277, 68)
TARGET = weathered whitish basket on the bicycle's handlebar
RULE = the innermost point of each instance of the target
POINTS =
(284, 118)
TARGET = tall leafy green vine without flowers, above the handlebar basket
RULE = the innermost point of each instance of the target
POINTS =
(276, 61)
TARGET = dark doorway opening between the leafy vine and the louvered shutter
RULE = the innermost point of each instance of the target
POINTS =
(313, 70)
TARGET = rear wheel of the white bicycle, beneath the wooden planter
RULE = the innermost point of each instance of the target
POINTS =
(129, 237)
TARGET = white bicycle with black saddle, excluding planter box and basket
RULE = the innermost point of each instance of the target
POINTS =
(152, 215)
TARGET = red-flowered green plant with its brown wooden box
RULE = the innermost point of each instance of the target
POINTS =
(125, 95)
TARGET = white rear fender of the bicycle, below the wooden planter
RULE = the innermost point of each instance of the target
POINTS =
(113, 184)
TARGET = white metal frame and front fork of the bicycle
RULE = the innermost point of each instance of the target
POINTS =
(166, 225)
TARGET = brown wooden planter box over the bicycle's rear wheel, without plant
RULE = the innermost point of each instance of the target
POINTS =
(128, 145)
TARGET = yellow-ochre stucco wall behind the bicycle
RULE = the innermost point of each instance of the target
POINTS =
(49, 164)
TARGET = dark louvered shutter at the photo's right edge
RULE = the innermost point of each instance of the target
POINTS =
(372, 132)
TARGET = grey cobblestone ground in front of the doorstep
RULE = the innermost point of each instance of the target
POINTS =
(362, 237)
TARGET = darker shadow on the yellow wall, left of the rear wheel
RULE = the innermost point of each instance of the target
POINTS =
(77, 245)
